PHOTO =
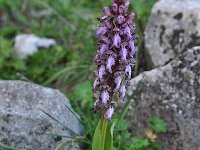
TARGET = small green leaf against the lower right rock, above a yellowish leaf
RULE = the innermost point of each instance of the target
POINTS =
(157, 125)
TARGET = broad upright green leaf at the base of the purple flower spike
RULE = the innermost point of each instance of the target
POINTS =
(103, 136)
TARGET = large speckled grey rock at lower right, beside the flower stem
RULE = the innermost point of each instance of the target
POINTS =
(171, 92)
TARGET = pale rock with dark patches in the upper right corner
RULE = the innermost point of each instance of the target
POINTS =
(174, 26)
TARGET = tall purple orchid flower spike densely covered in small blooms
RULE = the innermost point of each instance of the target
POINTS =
(114, 57)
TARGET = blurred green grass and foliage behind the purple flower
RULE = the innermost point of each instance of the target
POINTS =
(67, 66)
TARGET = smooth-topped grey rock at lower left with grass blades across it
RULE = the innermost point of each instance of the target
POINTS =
(23, 124)
